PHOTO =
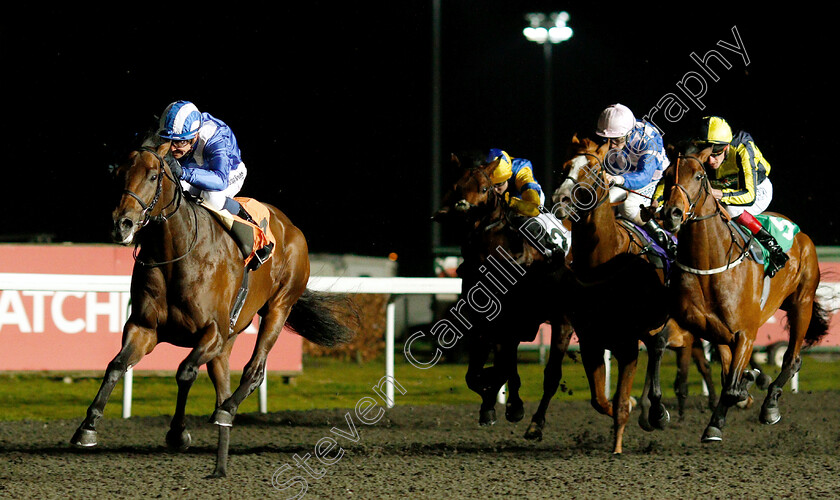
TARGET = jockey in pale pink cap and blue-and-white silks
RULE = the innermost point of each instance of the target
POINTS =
(634, 164)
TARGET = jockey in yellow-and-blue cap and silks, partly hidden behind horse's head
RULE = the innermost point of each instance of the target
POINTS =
(524, 194)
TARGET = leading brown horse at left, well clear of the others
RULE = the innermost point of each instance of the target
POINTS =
(186, 276)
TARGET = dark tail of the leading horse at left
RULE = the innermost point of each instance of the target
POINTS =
(327, 319)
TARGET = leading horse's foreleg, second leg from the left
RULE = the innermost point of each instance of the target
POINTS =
(209, 346)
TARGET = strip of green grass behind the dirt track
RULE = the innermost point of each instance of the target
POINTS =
(327, 383)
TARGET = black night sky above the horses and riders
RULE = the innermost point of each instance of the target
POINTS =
(331, 104)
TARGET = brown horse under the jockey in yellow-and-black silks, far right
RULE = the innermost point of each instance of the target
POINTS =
(720, 292)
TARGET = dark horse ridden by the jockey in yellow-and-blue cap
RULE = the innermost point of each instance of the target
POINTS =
(482, 218)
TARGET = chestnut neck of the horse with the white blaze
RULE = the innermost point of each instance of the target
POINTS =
(596, 237)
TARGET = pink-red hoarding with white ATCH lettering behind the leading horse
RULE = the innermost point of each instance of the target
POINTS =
(65, 330)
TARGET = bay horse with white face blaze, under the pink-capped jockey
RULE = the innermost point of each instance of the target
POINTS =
(636, 307)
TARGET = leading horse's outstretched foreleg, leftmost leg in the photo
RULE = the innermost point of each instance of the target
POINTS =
(137, 342)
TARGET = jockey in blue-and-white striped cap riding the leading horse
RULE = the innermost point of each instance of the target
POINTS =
(207, 160)
